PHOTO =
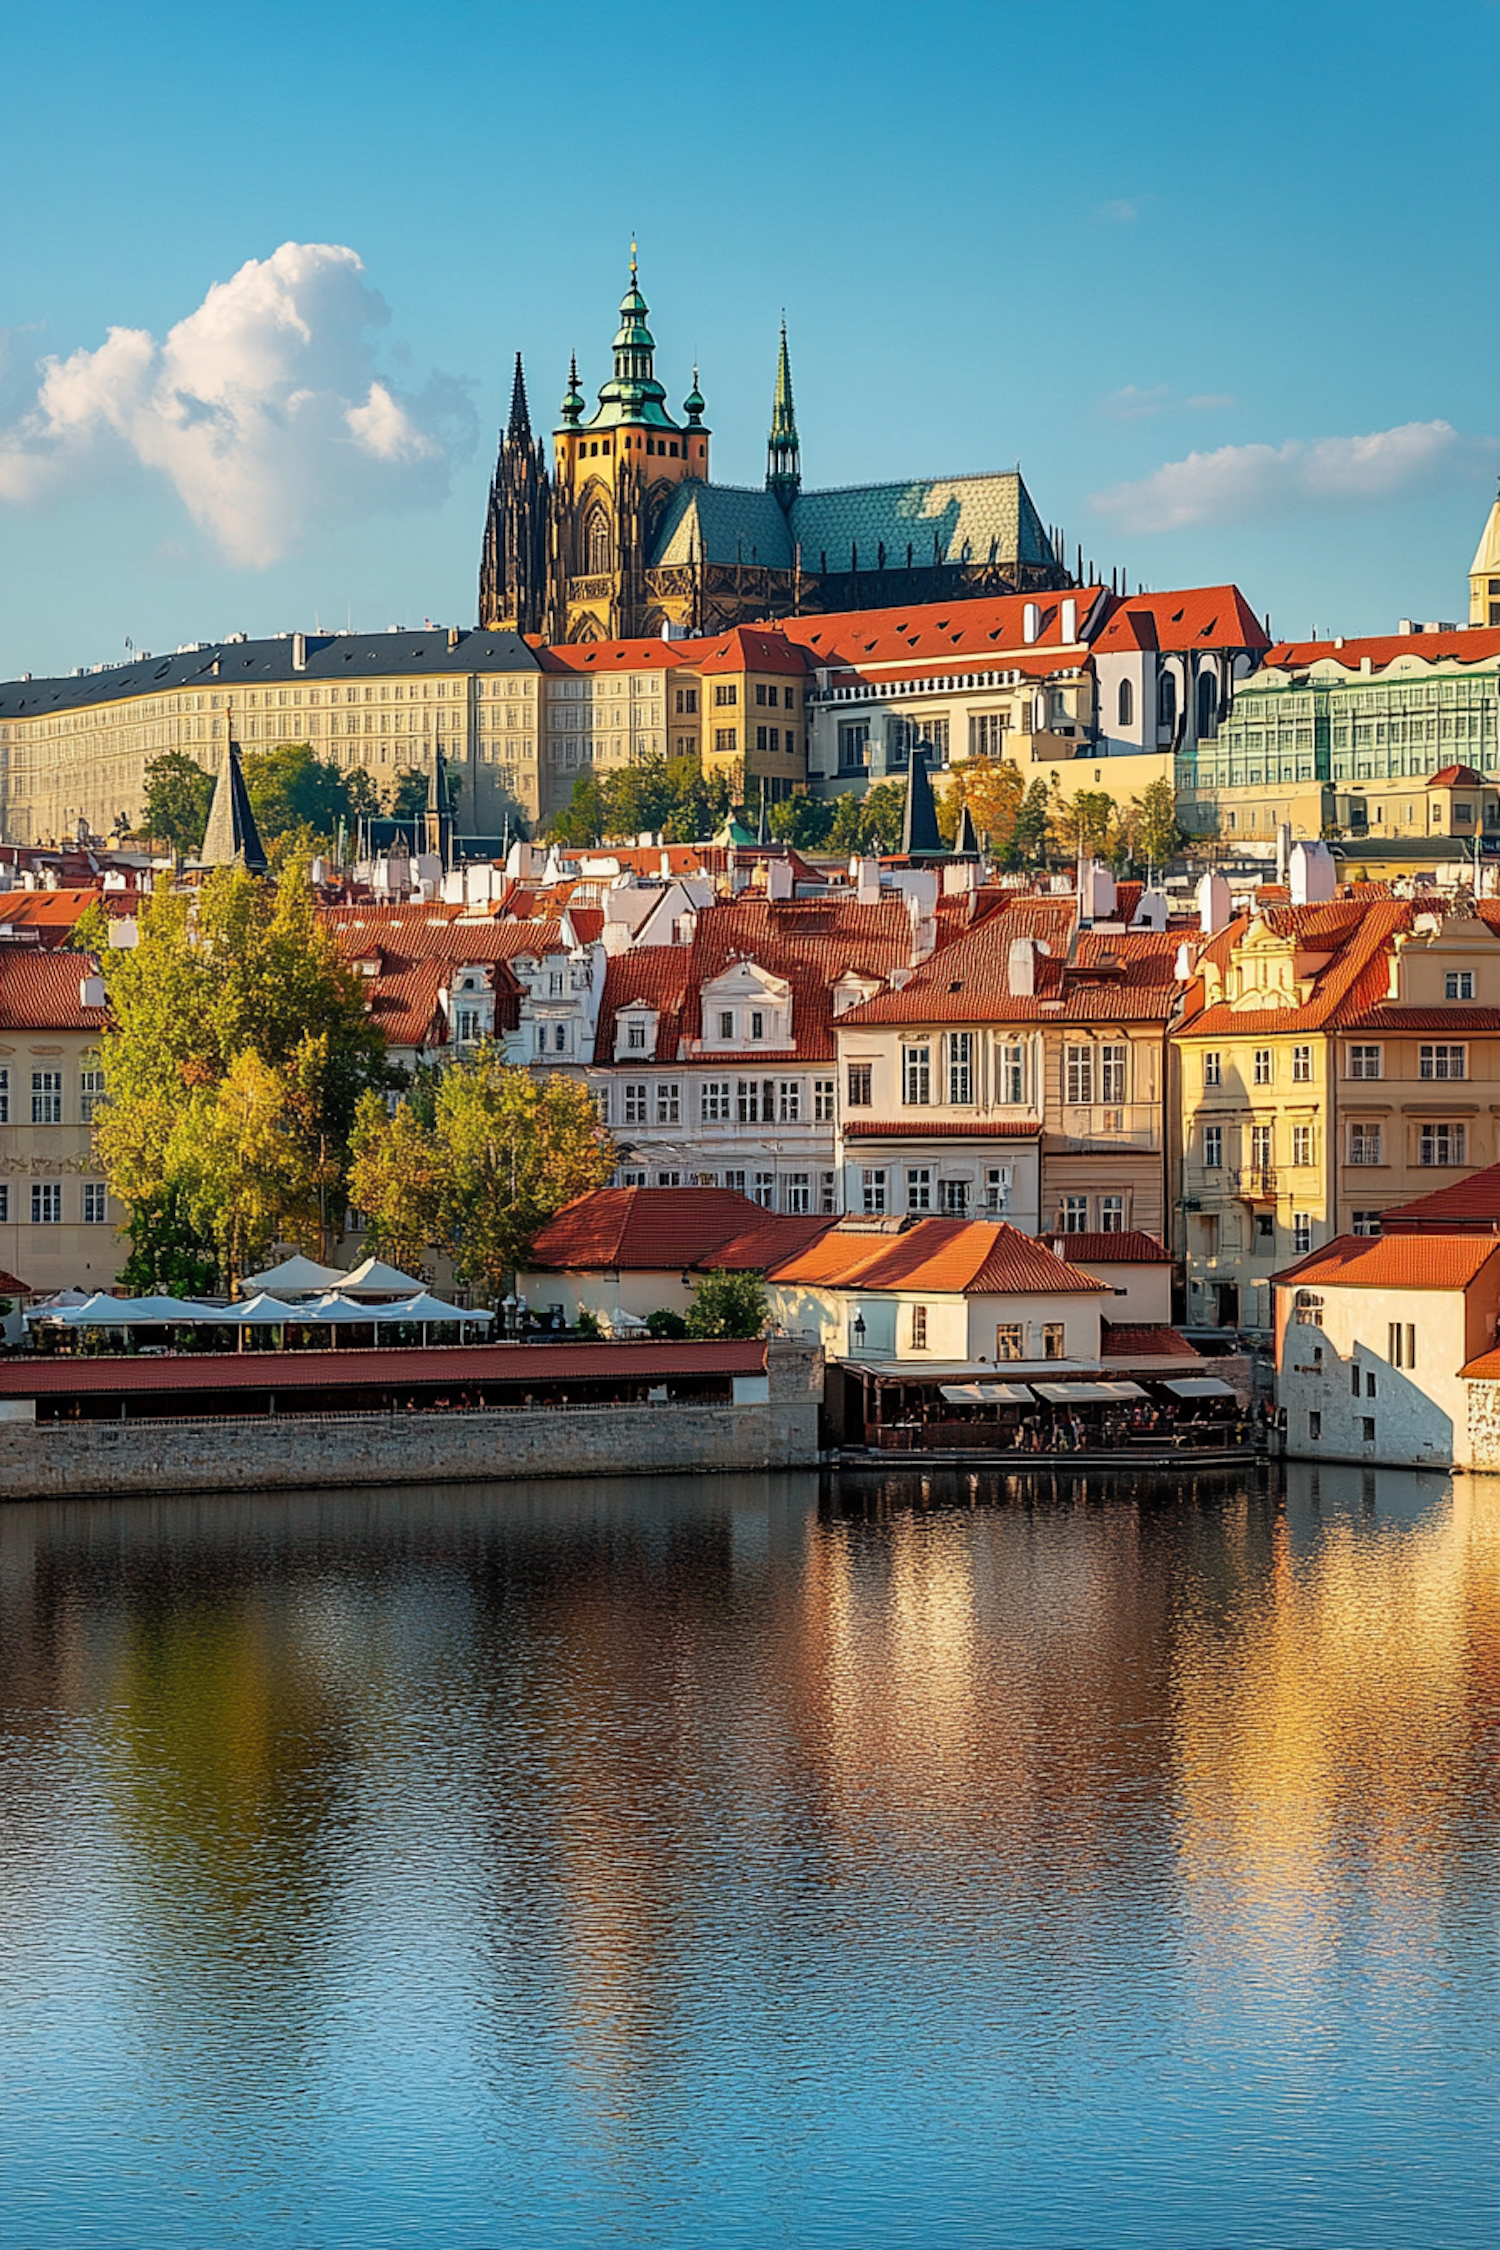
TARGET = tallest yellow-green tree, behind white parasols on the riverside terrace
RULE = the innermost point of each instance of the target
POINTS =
(240, 969)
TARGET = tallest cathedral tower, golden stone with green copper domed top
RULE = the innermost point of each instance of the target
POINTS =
(613, 483)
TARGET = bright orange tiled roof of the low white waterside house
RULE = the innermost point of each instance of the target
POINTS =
(948, 1257)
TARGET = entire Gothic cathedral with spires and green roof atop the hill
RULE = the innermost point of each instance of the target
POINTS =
(622, 532)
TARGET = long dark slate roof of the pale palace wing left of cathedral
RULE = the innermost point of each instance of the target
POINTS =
(228, 665)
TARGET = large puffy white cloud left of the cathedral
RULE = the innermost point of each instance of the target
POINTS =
(262, 408)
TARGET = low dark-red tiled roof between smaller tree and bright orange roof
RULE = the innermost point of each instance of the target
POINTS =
(658, 1230)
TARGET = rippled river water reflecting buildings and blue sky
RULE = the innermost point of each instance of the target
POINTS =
(741, 1864)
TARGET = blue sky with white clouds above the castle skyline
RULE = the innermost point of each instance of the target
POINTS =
(1222, 280)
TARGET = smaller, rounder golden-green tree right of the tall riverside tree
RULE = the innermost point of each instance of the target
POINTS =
(500, 1155)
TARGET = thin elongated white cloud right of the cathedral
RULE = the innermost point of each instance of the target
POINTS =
(1245, 483)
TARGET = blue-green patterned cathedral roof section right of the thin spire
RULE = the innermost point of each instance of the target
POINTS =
(968, 516)
